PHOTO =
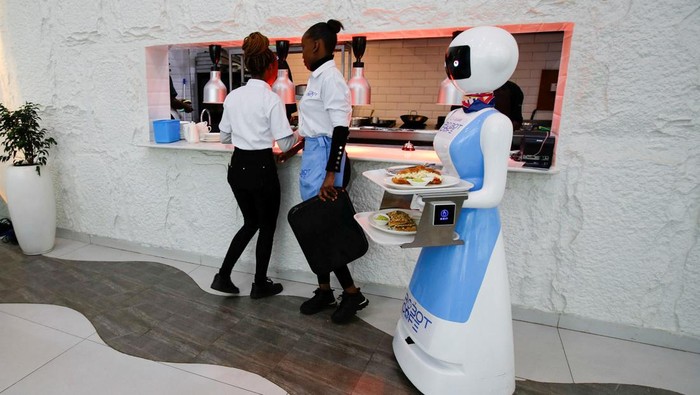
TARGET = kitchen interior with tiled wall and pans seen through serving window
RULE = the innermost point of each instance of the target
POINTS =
(405, 107)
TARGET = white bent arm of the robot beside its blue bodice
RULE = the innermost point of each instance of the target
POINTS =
(496, 136)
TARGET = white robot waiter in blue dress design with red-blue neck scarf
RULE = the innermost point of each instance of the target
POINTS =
(455, 331)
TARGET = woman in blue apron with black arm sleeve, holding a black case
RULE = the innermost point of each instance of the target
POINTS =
(324, 117)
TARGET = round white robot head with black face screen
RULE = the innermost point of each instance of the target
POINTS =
(481, 59)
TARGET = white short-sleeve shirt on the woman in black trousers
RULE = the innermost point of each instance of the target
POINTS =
(254, 117)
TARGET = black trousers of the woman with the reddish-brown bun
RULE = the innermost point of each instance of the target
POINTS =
(252, 176)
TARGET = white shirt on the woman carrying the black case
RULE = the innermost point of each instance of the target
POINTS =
(326, 102)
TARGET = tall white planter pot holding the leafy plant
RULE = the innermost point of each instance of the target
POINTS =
(32, 206)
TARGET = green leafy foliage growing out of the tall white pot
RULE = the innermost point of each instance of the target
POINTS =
(20, 133)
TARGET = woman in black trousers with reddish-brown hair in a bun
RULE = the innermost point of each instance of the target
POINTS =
(254, 118)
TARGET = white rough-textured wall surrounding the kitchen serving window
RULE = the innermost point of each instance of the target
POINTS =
(612, 237)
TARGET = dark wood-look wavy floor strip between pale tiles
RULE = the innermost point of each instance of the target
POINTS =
(157, 312)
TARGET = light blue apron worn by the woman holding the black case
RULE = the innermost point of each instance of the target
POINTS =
(313, 166)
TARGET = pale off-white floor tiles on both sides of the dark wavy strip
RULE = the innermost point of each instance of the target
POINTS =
(53, 349)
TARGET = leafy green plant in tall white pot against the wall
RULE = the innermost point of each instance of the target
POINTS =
(28, 186)
